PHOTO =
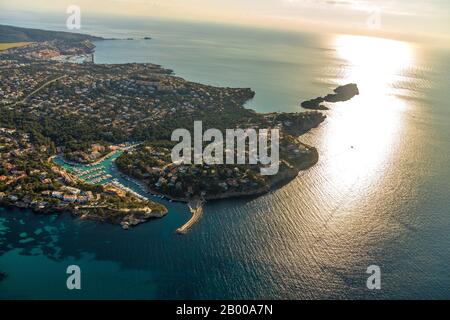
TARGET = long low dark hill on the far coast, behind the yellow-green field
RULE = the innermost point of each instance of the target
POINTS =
(17, 34)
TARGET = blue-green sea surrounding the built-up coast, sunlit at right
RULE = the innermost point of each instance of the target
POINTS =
(379, 195)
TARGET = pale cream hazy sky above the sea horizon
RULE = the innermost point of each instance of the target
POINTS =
(400, 18)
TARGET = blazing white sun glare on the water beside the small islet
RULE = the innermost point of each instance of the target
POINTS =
(362, 133)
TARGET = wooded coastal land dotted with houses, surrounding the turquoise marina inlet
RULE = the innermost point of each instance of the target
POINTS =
(84, 111)
